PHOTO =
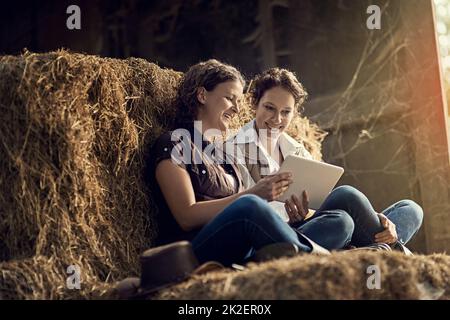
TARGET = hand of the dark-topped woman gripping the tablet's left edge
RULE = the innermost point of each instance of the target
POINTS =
(272, 187)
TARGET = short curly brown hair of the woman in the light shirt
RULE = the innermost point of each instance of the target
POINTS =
(277, 77)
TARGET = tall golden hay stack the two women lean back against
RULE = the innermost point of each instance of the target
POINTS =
(74, 134)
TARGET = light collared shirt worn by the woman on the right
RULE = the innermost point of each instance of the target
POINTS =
(247, 135)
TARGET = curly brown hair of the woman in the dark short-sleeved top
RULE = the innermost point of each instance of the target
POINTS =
(207, 74)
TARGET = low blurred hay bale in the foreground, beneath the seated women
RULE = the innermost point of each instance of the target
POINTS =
(342, 275)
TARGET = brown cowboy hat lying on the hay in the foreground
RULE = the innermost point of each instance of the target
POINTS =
(162, 267)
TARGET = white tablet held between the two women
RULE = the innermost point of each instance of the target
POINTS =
(317, 178)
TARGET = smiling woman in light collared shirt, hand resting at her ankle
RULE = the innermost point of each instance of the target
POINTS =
(277, 97)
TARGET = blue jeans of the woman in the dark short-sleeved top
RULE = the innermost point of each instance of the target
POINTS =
(250, 223)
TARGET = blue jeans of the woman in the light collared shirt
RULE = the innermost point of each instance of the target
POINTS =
(405, 214)
